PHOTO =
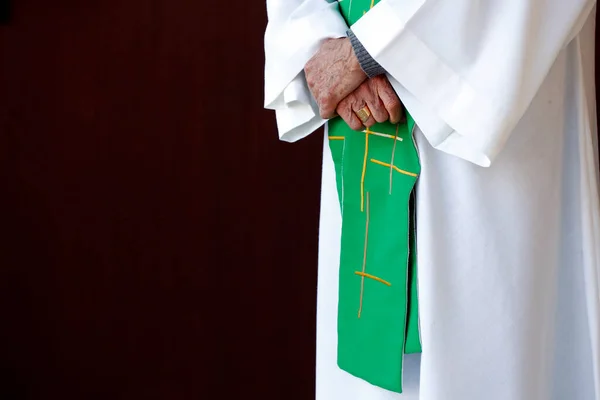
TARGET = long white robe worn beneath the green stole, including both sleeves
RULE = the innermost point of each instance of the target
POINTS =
(508, 213)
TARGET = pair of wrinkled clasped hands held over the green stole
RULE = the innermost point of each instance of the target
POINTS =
(339, 85)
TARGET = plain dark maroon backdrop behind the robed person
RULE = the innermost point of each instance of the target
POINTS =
(157, 241)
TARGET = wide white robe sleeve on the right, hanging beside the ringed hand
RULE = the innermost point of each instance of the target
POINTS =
(475, 65)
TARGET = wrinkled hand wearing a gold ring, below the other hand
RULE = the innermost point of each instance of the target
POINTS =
(381, 98)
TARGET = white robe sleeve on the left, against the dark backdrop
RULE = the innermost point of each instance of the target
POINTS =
(294, 33)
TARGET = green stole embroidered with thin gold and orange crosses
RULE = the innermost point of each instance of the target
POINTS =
(376, 170)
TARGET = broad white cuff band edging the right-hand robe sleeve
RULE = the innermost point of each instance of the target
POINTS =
(477, 125)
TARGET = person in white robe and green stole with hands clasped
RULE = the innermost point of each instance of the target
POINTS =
(460, 215)
